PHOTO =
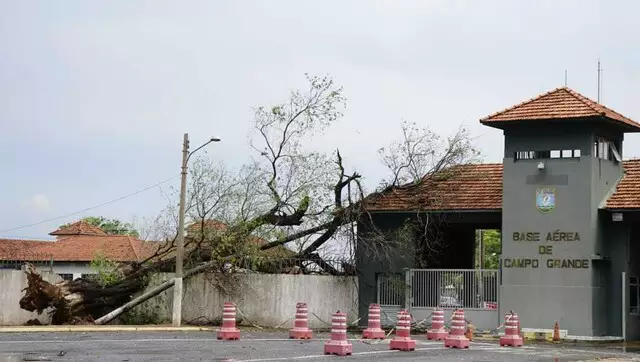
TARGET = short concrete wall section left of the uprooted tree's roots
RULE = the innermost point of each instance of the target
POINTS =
(11, 284)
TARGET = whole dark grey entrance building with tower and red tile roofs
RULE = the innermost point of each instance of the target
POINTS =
(568, 208)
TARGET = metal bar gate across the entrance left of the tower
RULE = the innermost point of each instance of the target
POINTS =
(421, 290)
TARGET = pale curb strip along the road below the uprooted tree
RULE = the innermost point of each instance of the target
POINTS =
(36, 329)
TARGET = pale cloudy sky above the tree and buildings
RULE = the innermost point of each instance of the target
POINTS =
(95, 95)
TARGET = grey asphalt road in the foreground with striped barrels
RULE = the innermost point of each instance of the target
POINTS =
(258, 347)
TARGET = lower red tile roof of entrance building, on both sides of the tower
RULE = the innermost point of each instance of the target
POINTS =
(479, 187)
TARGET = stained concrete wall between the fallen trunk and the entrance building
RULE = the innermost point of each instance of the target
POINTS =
(267, 300)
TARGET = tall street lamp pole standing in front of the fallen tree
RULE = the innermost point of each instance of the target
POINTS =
(177, 286)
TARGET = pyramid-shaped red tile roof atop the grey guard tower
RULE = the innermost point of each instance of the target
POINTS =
(560, 103)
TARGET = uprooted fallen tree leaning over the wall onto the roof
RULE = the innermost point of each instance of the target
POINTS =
(283, 207)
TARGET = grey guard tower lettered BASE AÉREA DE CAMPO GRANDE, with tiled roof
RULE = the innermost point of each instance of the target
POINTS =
(562, 161)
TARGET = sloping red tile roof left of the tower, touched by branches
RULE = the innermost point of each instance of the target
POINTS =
(465, 187)
